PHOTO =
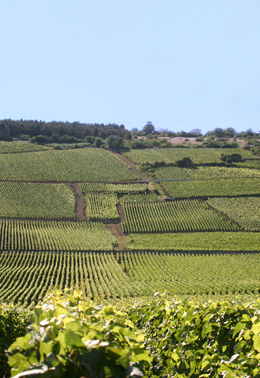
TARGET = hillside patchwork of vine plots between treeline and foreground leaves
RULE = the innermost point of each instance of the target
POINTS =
(134, 242)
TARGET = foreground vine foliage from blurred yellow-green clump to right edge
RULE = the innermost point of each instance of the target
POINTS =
(166, 337)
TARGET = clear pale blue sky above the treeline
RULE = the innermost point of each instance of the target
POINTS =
(181, 64)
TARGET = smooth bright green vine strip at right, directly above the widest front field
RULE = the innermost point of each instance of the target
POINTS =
(196, 241)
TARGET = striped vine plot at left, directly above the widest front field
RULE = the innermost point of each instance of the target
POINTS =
(28, 235)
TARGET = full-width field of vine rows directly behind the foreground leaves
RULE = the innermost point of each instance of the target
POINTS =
(25, 277)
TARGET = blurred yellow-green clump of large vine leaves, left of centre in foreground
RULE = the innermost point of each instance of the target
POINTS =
(74, 337)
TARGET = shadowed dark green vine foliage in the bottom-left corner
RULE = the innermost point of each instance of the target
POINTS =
(13, 324)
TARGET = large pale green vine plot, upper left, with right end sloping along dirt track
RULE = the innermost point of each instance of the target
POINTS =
(80, 165)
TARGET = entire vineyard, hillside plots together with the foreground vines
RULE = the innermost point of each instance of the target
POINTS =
(86, 222)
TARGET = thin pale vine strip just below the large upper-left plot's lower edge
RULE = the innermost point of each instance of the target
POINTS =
(114, 188)
